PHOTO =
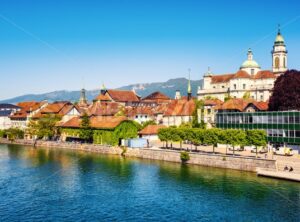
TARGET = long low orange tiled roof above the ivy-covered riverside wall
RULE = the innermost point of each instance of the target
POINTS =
(99, 122)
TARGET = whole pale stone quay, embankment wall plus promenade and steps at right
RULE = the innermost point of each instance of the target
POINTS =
(270, 167)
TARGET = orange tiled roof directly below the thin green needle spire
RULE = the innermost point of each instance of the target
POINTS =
(180, 108)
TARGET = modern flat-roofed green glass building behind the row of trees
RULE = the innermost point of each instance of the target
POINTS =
(281, 127)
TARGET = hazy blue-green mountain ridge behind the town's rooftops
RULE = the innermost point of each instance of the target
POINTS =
(143, 89)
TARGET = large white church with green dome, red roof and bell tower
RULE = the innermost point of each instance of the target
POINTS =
(250, 80)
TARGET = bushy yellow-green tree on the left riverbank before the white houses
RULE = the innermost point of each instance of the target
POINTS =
(44, 127)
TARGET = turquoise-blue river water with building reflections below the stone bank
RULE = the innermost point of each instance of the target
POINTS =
(59, 185)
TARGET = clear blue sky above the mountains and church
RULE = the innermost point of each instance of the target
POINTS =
(59, 44)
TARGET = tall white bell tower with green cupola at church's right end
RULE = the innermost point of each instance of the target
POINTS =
(279, 55)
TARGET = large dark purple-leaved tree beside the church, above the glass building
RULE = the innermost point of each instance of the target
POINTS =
(286, 92)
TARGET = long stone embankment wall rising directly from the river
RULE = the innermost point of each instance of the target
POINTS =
(221, 161)
